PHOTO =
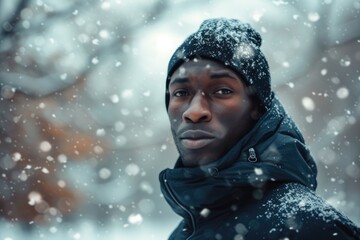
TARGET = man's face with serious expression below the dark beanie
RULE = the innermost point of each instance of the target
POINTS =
(209, 110)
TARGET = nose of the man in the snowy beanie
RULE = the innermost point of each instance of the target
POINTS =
(198, 110)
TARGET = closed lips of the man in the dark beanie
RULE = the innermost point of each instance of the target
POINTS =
(195, 139)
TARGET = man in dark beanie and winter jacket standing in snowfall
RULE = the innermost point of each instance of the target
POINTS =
(244, 171)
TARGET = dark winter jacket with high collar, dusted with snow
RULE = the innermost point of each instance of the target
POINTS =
(263, 188)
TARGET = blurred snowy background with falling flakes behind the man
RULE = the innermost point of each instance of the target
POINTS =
(84, 131)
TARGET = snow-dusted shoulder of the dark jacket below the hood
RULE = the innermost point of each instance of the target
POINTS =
(295, 211)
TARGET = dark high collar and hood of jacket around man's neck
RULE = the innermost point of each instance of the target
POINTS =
(273, 151)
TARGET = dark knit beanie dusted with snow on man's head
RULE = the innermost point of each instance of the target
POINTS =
(233, 43)
